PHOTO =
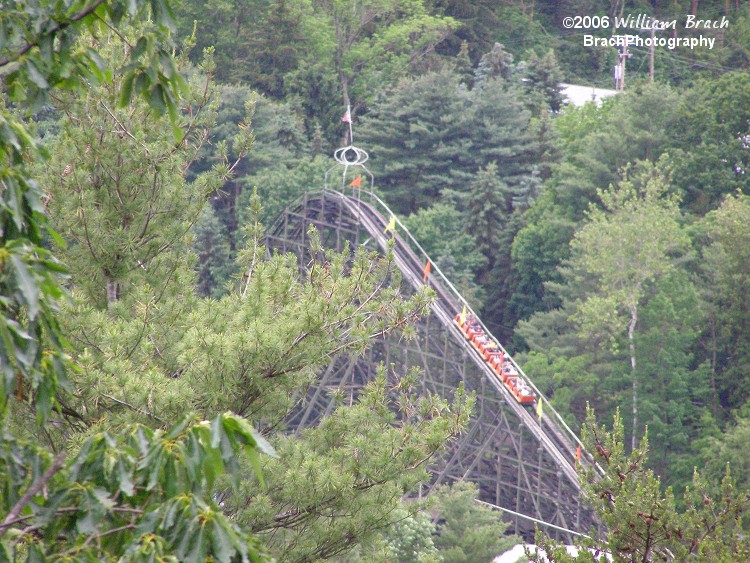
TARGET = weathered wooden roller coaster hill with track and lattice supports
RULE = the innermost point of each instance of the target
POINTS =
(521, 463)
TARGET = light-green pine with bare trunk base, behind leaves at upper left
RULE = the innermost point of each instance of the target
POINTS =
(117, 188)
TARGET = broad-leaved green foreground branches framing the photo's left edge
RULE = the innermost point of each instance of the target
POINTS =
(142, 494)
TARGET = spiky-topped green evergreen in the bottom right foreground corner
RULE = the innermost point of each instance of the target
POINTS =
(642, 522)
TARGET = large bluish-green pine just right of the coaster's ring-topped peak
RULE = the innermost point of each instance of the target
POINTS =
(429, 136)
